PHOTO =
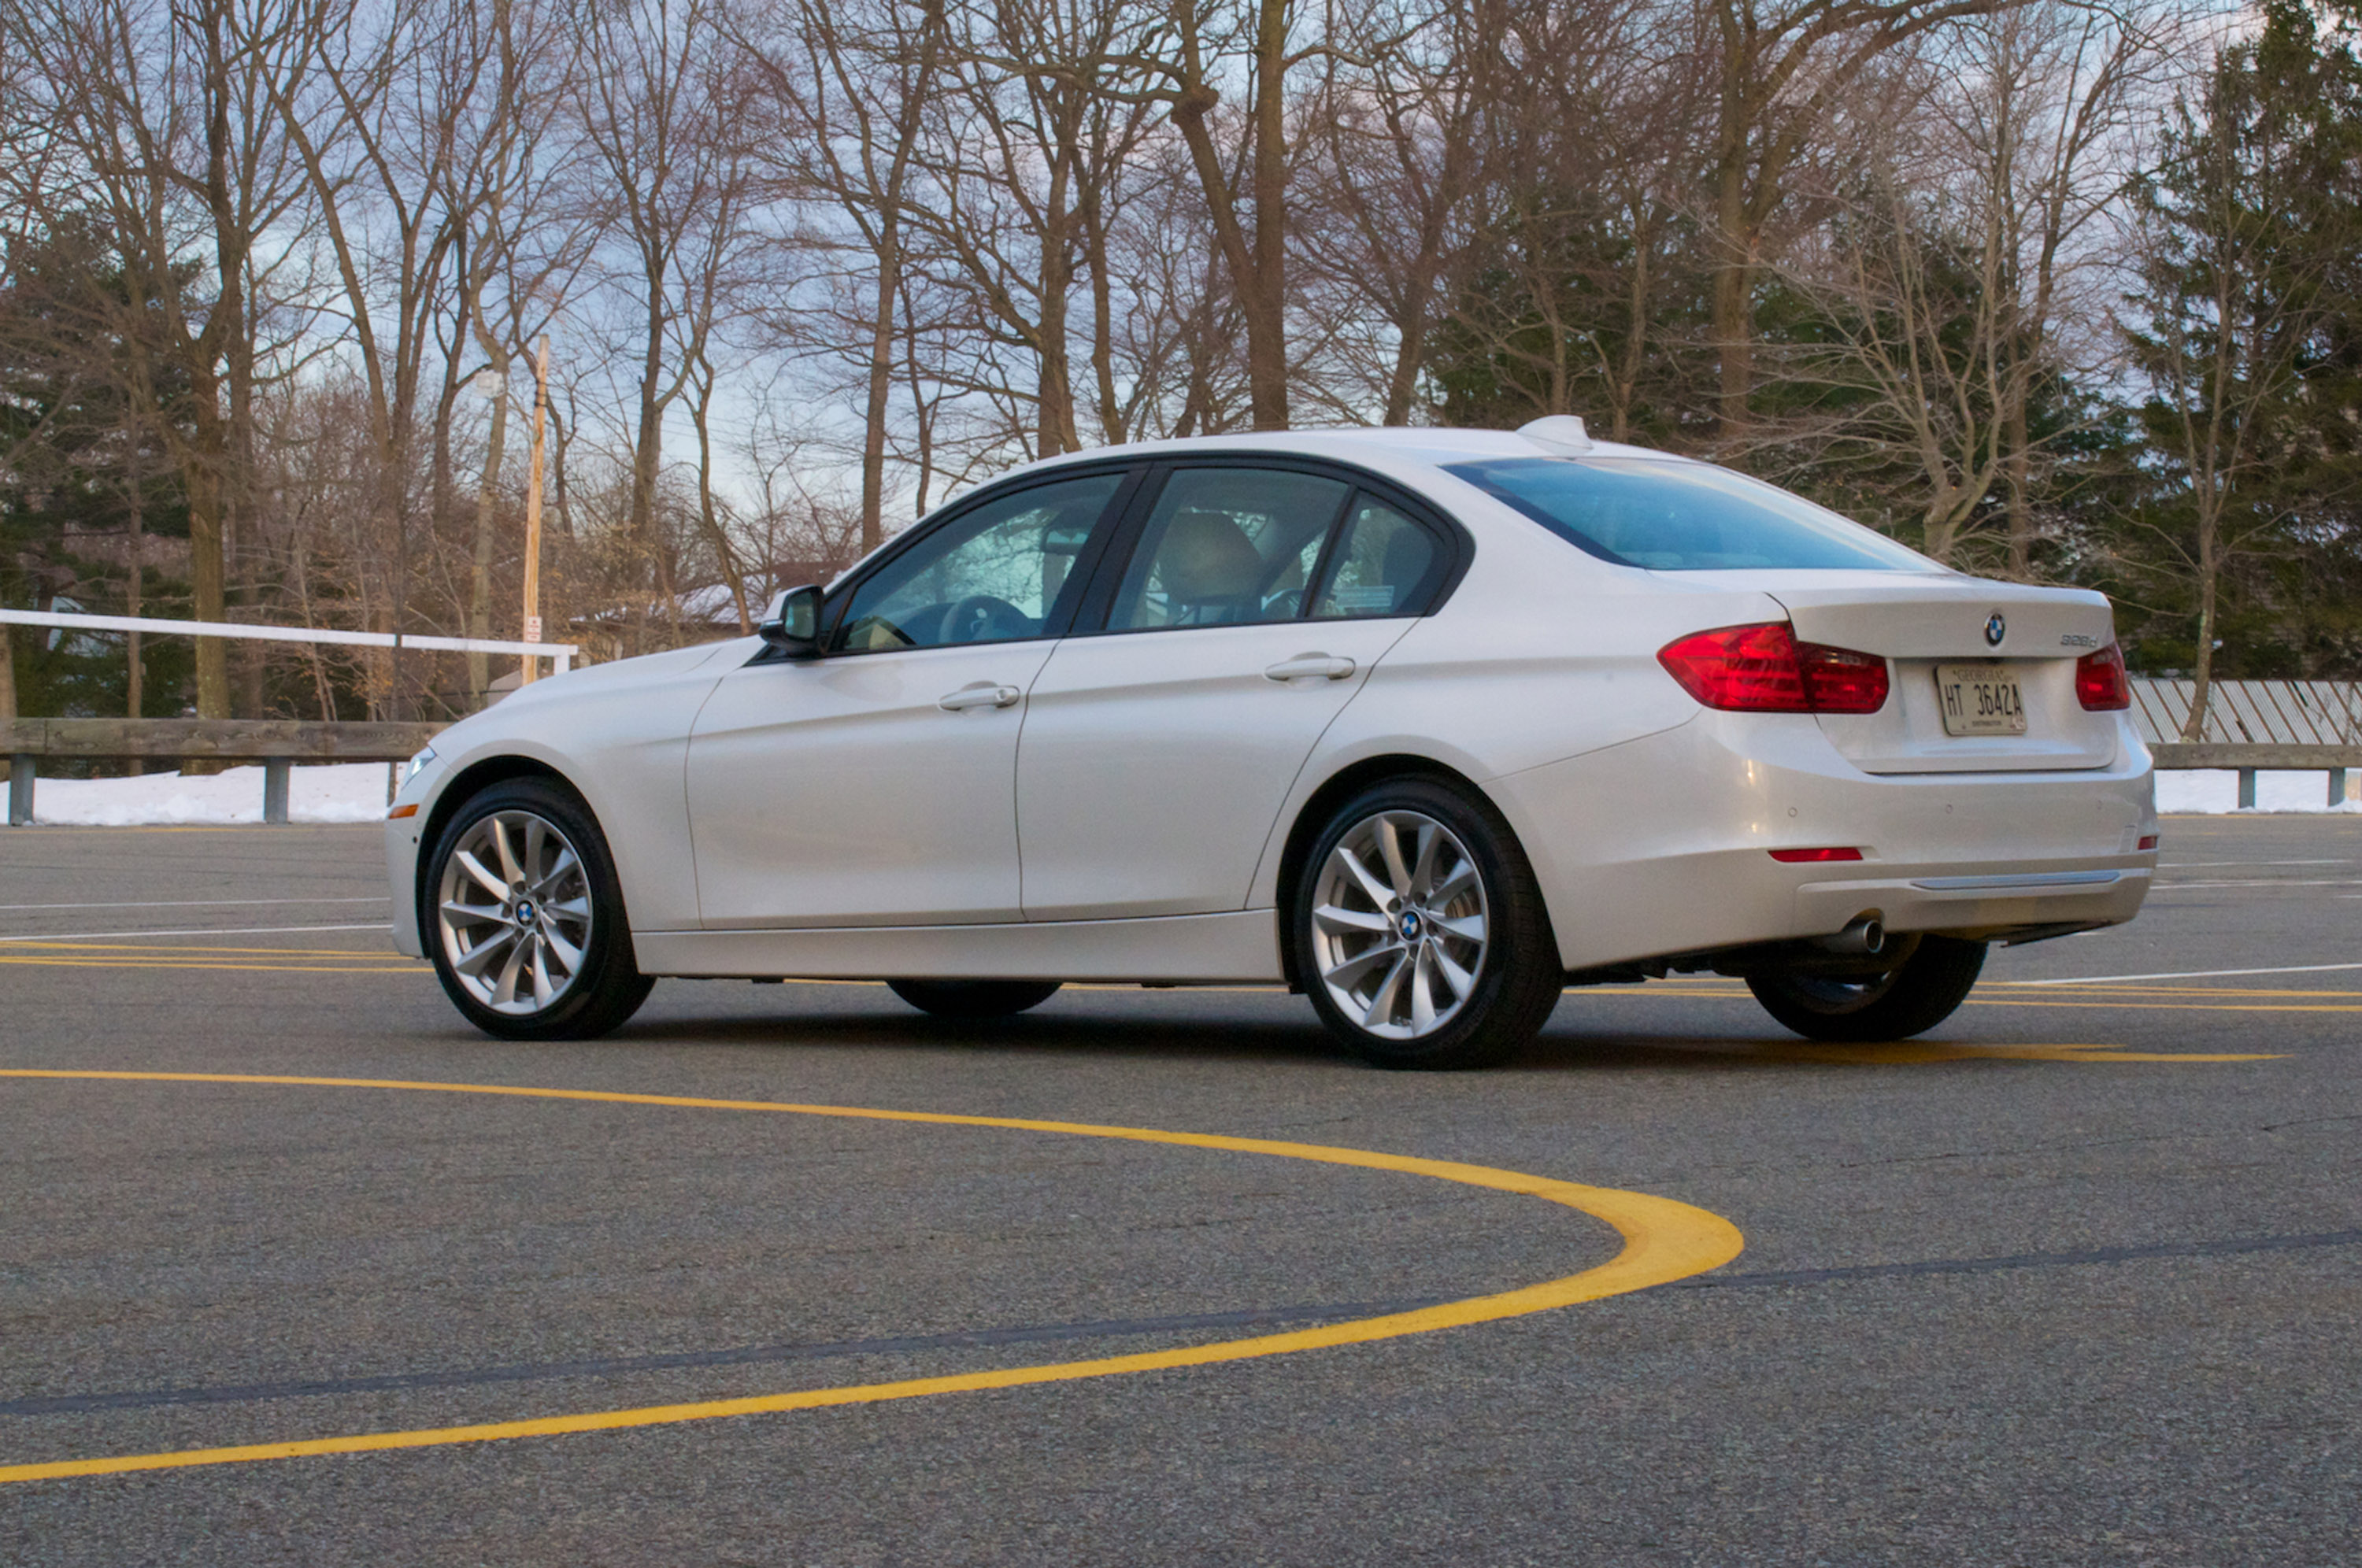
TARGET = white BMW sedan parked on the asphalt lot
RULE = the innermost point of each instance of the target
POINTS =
(1421, 724)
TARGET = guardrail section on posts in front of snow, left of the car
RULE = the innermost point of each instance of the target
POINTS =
(275, 743)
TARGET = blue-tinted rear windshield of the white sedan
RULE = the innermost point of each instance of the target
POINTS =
(1683, 516)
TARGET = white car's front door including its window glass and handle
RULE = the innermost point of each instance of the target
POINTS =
(877, 783)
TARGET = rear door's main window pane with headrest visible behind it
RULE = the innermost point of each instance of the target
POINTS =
(1227, 547)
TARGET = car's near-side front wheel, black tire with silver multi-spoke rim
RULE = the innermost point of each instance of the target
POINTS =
(526, 917)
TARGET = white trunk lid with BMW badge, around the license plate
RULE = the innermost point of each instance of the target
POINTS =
(1929, 622)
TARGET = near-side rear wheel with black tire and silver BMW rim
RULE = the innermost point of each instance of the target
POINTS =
(1515, 981)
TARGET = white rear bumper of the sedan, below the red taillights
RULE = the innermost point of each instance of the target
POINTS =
(1662, 847)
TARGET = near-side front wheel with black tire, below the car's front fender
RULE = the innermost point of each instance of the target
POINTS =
(603, 988)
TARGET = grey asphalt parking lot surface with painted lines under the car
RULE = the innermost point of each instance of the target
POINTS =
(2068, 1281)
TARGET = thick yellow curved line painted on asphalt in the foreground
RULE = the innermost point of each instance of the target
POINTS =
(1664, 1241)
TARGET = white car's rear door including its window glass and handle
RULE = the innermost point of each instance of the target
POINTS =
(1248, 615)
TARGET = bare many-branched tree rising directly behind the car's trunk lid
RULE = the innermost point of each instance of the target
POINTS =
(1966, 251)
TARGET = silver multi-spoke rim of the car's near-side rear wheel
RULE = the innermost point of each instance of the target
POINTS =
(1399, 925)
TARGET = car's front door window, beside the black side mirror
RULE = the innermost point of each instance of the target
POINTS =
(988, 577)
